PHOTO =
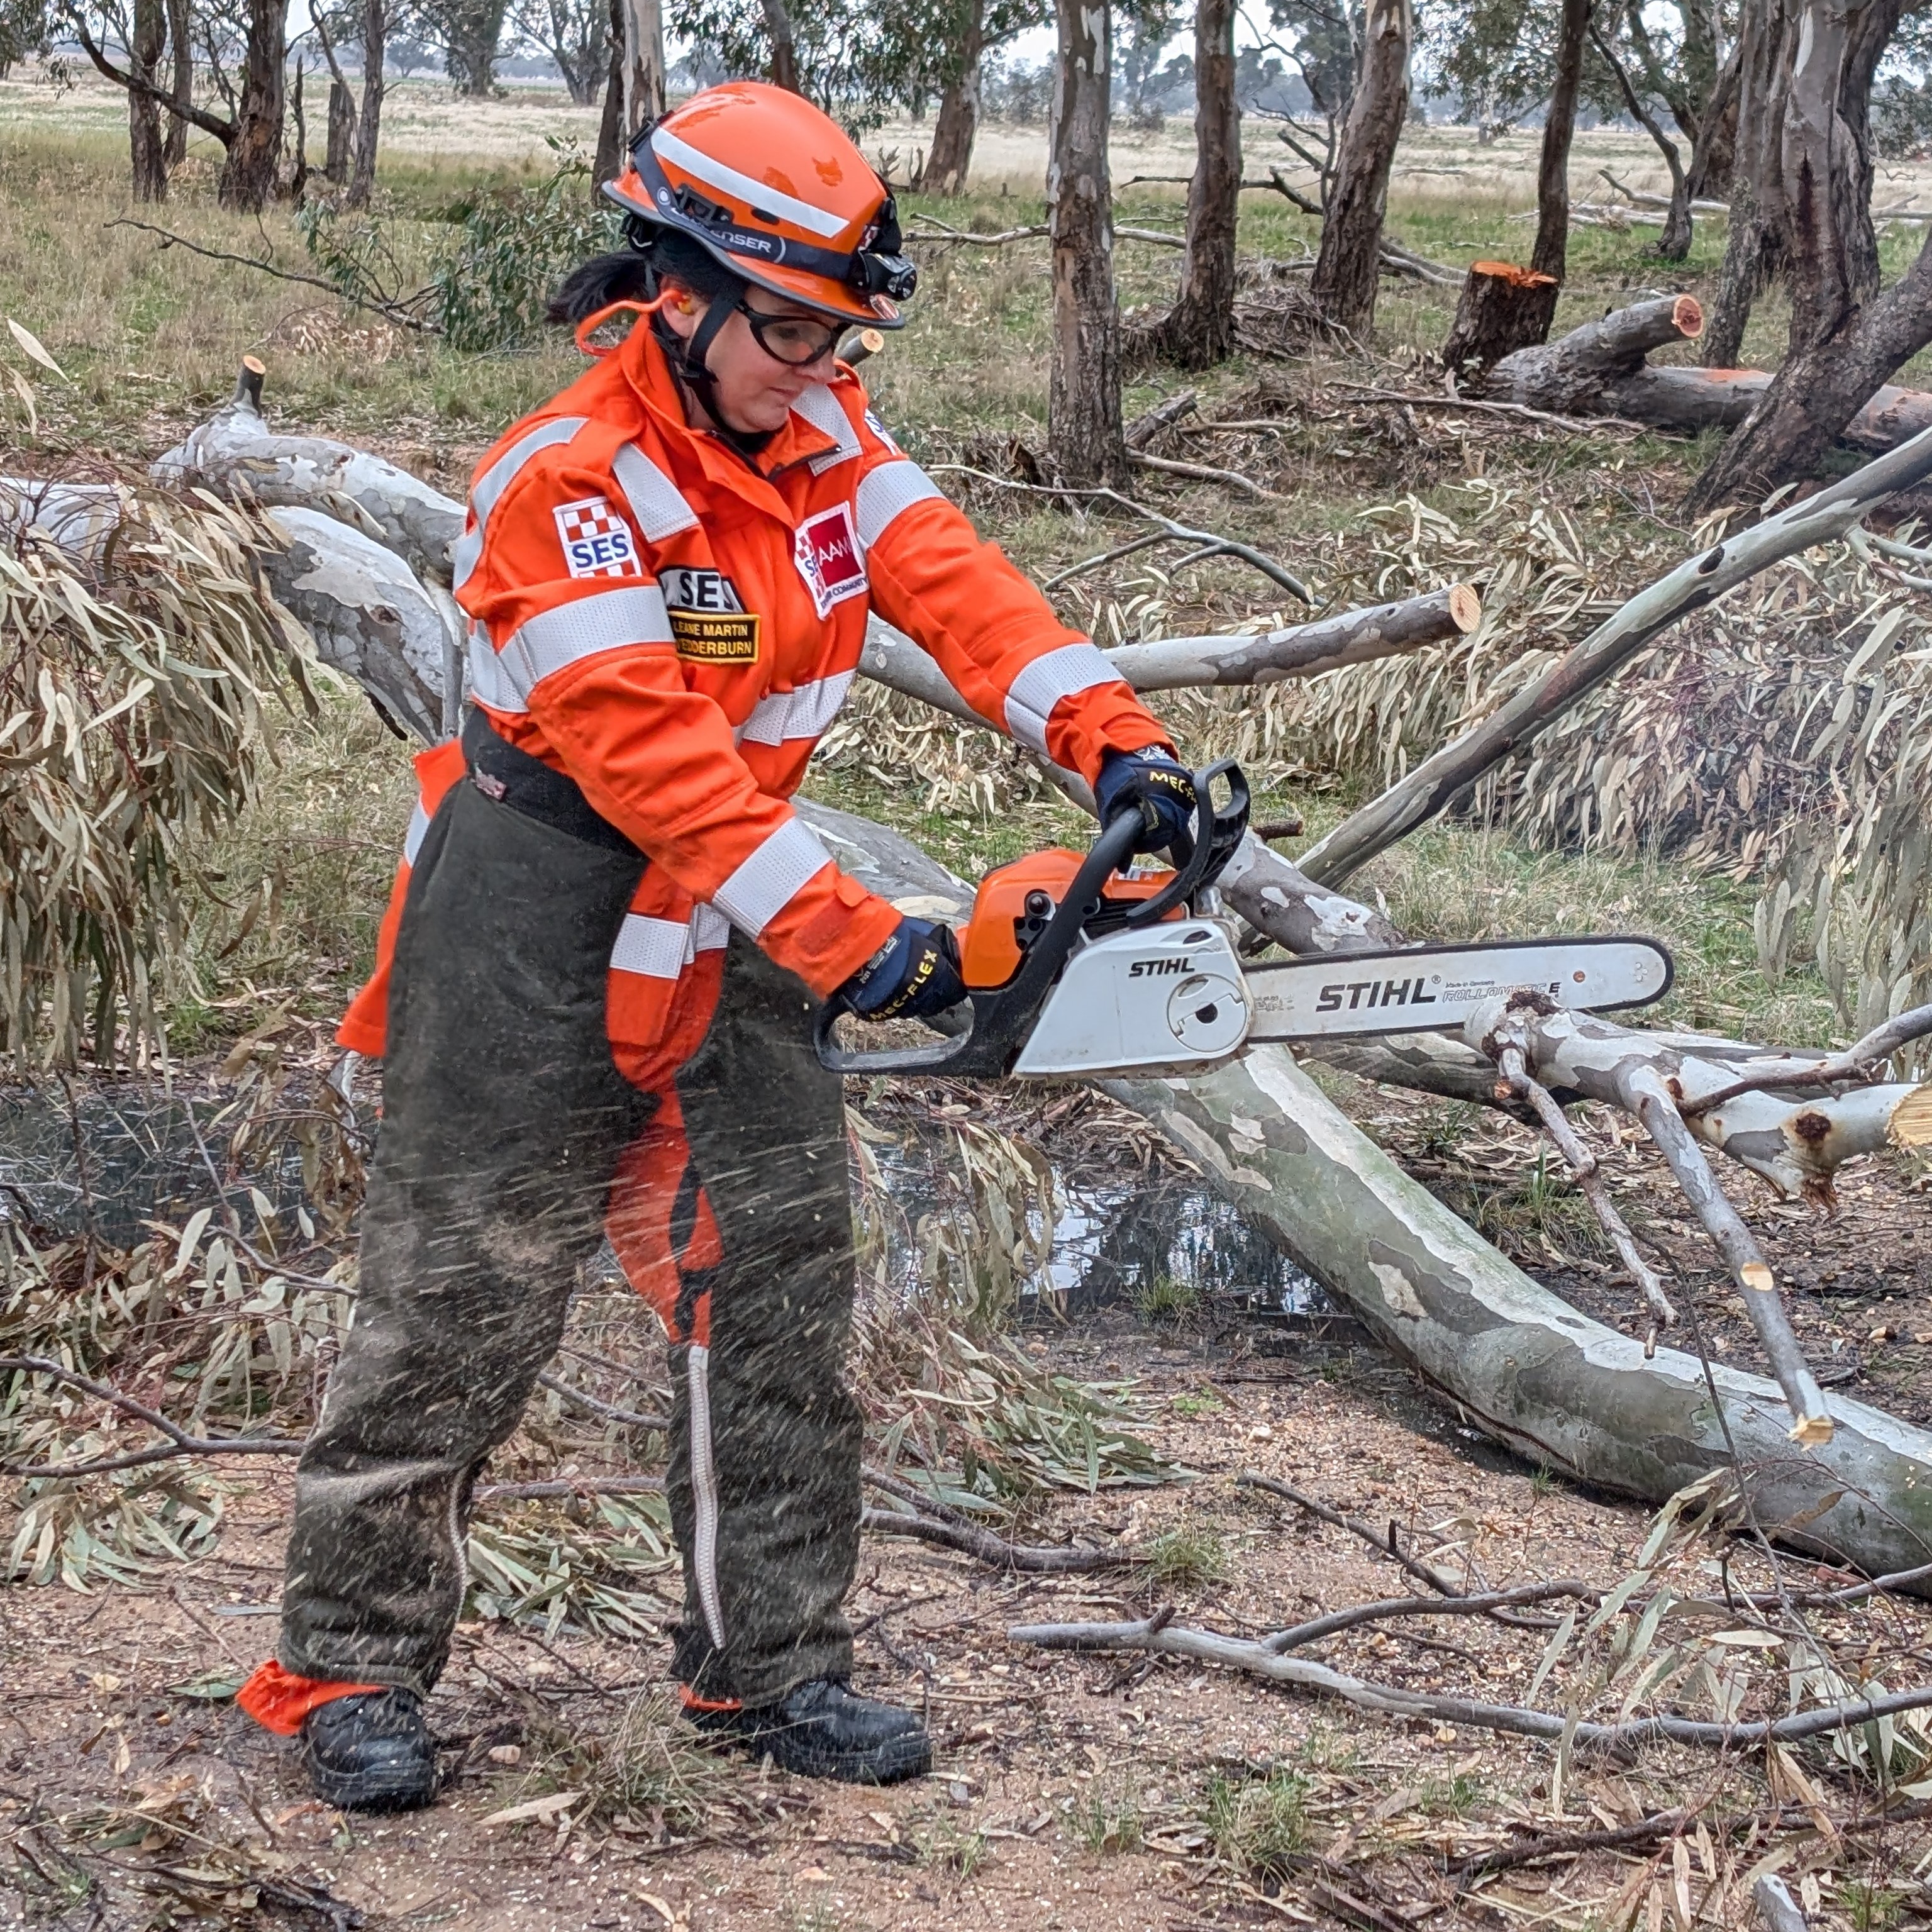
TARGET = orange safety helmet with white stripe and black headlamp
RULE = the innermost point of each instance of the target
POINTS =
(776, 190)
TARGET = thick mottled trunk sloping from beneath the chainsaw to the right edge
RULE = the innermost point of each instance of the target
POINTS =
(1521, 1363)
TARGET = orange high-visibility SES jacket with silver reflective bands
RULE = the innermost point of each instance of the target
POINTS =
(675, 629)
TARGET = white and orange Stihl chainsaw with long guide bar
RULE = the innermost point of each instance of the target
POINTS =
(1077, 969)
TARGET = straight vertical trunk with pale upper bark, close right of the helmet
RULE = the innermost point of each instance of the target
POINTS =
(1085, 432)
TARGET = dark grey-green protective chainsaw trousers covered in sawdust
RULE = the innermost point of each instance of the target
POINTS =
(503, 1123)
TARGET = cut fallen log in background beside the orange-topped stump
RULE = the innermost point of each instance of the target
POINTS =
(1601, 370)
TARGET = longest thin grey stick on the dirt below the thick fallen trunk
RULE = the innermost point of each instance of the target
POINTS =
(1245, 1655)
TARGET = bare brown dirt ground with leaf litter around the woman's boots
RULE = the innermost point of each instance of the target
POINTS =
(1069, 1792)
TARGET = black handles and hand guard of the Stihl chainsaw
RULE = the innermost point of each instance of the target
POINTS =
(1004, 1017)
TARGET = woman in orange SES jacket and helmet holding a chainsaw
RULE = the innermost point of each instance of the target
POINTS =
(598, 975)
